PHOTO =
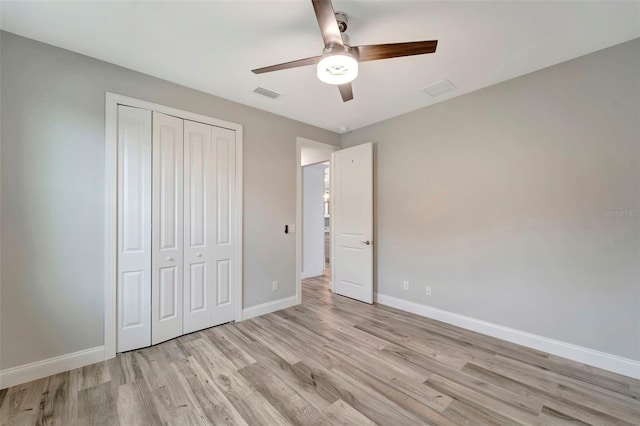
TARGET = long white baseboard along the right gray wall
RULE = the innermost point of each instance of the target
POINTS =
(614, 363)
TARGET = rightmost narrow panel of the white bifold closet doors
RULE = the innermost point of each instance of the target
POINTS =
(225, 192)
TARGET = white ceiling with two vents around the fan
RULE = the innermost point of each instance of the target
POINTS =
(212, 46)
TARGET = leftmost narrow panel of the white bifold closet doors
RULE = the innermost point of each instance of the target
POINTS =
(134, 229)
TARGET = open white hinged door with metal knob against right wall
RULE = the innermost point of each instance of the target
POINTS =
(352, 222)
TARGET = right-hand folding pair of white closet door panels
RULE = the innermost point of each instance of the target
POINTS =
(209, 191)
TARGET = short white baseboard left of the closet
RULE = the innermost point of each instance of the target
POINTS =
(47, 367)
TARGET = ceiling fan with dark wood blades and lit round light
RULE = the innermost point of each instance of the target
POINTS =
(338, 63)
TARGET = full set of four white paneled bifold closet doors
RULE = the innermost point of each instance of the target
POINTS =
(176, 221)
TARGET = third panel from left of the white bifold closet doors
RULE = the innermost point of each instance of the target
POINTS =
(199, 226)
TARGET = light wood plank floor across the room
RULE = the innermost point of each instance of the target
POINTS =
(328, 361)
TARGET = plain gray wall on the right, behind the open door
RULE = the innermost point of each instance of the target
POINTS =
(499, 201)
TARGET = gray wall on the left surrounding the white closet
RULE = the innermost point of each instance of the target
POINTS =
(52, 193)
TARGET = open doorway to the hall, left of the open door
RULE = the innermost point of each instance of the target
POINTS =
(313, 241)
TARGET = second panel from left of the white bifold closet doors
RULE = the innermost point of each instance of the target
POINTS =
(167, 240)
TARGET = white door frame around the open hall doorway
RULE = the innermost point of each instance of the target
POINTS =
(320, 146)
